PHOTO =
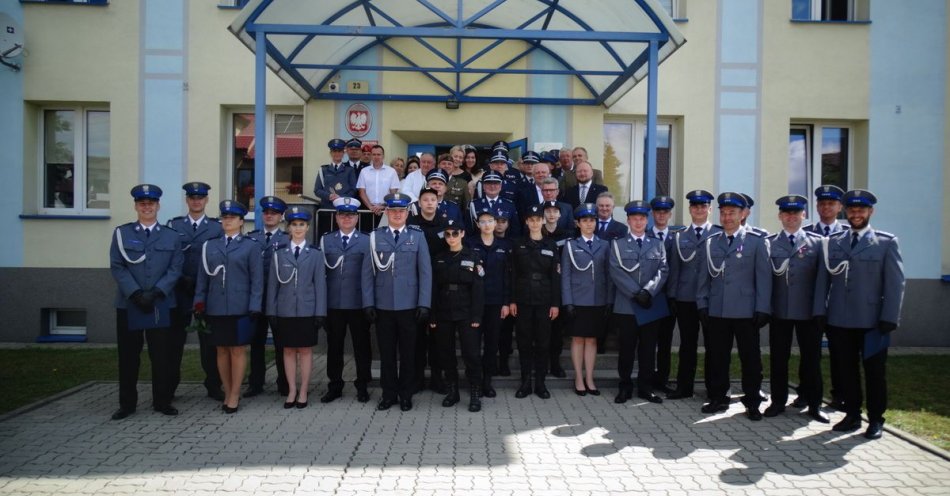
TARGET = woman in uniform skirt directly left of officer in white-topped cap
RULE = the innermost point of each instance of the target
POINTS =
(297, 303)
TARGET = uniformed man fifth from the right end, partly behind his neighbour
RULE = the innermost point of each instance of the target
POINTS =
(681, 288)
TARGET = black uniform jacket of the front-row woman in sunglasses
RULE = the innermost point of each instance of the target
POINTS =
(457, 286)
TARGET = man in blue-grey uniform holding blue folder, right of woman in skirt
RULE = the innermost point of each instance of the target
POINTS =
(638, 270)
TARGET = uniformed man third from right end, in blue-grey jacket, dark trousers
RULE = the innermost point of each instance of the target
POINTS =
(796, 257)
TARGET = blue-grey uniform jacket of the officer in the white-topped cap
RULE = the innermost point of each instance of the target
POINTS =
(345, 278)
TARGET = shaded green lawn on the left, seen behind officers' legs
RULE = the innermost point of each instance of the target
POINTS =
(30, 374)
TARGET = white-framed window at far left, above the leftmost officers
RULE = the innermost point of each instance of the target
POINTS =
(74, 160)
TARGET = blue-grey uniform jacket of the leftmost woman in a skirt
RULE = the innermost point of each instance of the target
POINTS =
(231, 279)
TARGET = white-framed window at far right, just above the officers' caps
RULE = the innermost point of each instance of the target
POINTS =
(818, 154)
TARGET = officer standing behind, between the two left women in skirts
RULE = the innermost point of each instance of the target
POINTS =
(270, 238)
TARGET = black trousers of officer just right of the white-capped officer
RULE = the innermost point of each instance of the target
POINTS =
(396, 334)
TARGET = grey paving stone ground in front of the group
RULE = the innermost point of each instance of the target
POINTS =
(565, 445)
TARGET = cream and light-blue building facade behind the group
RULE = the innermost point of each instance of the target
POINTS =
(766, 97)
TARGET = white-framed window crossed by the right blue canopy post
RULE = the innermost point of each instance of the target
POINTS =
(624, 159)
